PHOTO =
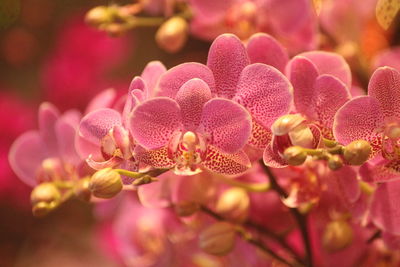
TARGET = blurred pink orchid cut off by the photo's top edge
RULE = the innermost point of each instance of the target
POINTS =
(292, 22)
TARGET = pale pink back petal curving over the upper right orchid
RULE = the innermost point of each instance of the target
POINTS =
(330, 63)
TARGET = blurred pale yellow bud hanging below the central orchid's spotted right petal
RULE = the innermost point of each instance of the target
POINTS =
(234, 204)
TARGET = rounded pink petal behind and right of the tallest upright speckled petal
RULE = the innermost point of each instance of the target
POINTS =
(263, 48)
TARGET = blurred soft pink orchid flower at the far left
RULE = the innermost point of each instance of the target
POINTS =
(46, 154)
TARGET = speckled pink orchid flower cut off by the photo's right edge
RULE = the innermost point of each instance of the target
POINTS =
(375, 118)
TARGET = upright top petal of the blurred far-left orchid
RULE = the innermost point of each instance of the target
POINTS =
(48, 116)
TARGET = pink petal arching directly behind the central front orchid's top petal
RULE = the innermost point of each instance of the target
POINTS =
(174, 78)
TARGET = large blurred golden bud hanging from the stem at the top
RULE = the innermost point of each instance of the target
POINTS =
(172, 35)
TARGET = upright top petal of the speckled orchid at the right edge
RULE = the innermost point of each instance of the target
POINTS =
(384, 85)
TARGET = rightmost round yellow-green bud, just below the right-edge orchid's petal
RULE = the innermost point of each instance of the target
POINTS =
(357, 152)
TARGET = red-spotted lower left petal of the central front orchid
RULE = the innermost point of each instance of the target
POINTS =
(157, 158)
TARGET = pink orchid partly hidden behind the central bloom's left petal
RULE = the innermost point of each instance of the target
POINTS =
(103, 138)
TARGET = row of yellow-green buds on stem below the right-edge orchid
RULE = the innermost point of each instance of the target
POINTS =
(356, 153)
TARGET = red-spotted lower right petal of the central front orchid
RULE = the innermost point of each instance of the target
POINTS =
(229, 164)
